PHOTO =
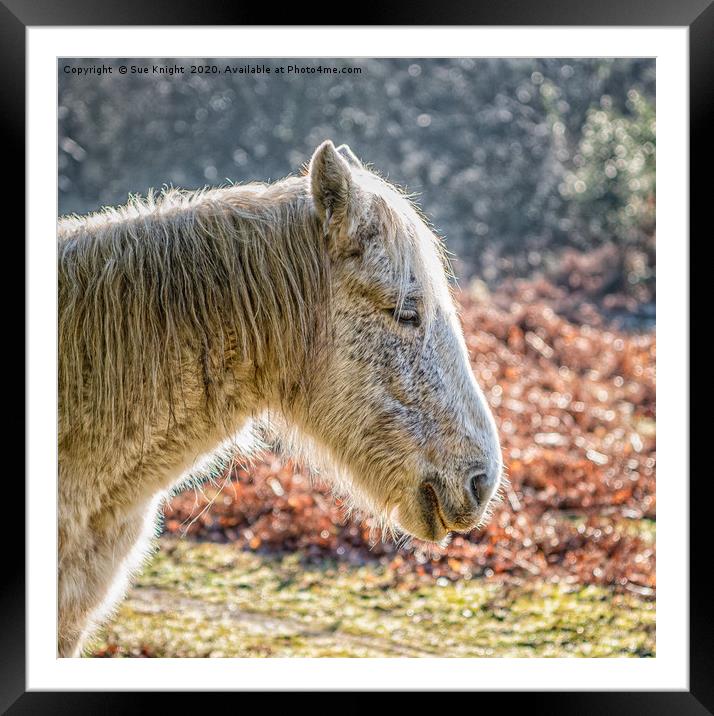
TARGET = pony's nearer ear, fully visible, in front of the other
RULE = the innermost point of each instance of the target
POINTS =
(331, 184)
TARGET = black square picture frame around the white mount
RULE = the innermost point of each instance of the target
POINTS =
(697, 15)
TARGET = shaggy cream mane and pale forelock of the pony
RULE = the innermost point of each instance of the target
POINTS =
(180, 278)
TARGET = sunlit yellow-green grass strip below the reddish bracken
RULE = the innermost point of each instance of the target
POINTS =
(204, 599)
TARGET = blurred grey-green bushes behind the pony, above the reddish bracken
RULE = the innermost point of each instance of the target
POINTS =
(514, 160)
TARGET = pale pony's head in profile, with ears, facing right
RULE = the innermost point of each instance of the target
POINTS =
(393, 402)
